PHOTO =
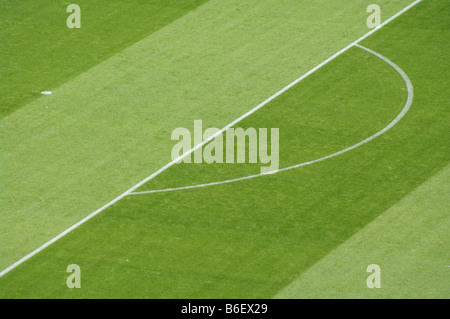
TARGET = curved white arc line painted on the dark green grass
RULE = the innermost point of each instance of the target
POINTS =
(405, 109)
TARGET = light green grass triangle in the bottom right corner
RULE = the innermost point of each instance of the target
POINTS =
(410, 243)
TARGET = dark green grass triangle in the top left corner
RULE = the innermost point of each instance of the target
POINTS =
(39, 52)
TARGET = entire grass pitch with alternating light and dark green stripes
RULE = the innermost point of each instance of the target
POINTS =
(134, 72)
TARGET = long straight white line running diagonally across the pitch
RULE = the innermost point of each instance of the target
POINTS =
(179, 158)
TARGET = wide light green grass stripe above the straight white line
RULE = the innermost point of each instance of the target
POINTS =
(66, 155)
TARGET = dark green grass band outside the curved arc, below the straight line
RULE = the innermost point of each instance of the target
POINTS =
(253, 240)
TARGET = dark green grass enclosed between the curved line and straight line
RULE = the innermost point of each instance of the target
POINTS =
(326, 114)
